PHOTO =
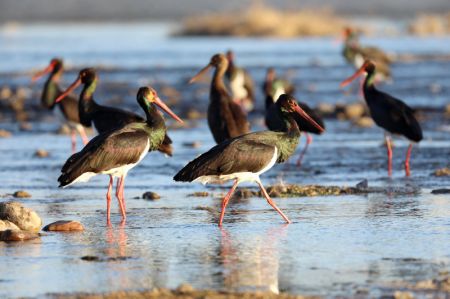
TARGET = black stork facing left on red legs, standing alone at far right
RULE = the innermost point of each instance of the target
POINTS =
(390, 113)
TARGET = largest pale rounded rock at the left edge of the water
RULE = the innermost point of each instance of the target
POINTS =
(25, 218)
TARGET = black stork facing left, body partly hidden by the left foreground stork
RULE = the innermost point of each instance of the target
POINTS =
(104, 118)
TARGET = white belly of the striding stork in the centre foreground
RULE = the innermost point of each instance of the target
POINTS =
(240, 176)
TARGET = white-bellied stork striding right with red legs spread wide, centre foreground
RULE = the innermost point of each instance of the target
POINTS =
(246, 157)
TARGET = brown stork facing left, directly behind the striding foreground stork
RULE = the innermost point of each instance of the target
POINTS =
(226, 119)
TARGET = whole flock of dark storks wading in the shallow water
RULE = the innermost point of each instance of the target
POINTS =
(124, 138)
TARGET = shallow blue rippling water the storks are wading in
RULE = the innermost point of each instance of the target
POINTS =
(337, 245)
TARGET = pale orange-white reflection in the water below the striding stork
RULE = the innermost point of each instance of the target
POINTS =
(253, 263)
